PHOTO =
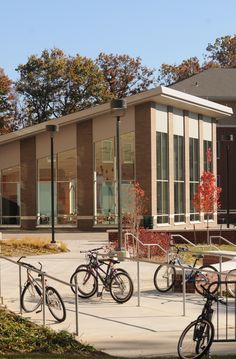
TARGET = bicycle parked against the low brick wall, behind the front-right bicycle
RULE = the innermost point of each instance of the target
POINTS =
(165, 275)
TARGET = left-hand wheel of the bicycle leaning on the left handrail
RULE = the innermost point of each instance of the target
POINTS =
(31, 296)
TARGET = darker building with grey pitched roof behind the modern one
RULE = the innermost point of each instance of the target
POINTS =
(219, 85)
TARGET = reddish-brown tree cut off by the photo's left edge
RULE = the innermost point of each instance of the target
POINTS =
(7, 103)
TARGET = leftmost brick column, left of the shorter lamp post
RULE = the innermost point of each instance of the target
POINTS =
(28, 183)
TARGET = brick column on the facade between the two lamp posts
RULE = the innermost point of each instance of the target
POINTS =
(85, 198)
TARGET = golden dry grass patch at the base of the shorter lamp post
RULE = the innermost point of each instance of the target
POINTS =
(30, 246)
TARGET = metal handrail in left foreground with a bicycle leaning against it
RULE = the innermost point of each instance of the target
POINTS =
(43, 275)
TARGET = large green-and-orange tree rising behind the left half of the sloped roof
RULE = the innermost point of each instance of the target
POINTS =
(54, 85)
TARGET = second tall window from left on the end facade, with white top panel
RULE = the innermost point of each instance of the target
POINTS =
(179, 185)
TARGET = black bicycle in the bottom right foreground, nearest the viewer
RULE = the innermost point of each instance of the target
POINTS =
(197, 337)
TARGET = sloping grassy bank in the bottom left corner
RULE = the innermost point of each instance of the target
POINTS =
(20, 336)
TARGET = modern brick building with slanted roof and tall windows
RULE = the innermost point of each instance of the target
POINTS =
(164, 135)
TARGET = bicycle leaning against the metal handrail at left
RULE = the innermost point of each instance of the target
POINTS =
(32, 294)
